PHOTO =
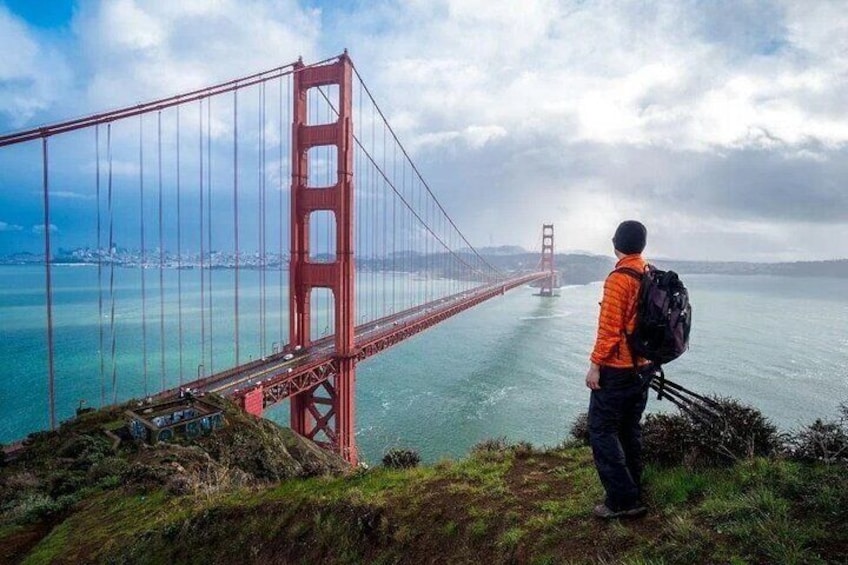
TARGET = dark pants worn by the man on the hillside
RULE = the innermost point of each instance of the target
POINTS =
(615, 433)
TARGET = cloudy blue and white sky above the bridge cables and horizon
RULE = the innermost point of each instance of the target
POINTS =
(720, 125)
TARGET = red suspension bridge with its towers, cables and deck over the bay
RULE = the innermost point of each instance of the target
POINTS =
(276, 217)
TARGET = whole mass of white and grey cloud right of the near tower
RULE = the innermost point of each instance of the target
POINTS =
(724, 117)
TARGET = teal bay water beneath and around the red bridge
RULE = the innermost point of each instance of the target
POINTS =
(513, 366)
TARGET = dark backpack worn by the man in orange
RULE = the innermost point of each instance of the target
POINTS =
(663, 316)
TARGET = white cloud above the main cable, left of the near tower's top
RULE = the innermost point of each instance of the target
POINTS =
(136, 50)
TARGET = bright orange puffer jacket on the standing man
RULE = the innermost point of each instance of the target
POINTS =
(618, 315)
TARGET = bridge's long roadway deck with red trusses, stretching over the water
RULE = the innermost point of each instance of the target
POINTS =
(276, 378)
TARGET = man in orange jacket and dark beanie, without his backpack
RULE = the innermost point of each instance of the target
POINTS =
(619, 382)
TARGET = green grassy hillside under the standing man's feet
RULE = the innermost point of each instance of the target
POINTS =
(501, 504)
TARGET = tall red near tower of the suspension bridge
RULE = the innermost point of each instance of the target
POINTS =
(324, 413)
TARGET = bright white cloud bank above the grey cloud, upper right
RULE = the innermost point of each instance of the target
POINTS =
(678, 75)
